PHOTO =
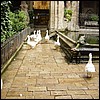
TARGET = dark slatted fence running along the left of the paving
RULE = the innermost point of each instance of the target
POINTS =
(9, 47)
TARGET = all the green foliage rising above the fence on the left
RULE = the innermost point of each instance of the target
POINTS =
(11, 23)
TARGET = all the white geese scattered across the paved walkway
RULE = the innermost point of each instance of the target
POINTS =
(35, 38)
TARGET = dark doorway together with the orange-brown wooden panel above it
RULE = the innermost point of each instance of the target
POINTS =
(40, 15)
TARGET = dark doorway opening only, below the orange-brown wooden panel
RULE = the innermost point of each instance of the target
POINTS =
(39, 18)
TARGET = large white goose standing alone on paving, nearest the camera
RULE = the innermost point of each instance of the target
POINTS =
(89, 67)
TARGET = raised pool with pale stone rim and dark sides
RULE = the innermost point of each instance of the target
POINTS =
(67, 44)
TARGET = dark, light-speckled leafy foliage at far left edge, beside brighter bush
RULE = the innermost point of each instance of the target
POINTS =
(5, 22)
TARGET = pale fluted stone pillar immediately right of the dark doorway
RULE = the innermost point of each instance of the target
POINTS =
(56, 15)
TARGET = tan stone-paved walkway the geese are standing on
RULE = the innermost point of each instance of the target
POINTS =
(43, 73)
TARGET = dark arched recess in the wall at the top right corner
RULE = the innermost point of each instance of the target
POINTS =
(88, 10)
